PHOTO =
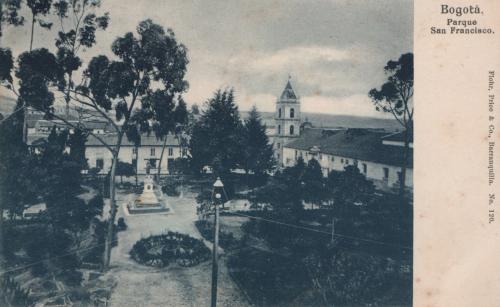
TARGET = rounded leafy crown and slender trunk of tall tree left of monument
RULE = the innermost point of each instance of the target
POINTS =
(150, 70)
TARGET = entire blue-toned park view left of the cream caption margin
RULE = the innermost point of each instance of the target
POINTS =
(169, 153)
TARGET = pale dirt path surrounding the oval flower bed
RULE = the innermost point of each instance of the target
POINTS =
(139, 285)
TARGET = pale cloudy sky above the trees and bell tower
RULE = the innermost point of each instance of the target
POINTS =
(333, 50)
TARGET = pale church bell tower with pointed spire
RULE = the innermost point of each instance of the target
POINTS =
(287, 120)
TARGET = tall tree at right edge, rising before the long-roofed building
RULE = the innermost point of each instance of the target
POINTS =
(396, 97)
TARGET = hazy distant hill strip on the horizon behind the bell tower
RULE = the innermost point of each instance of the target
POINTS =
(333, 121)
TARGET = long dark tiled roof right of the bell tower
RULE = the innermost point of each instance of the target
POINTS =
(361, 144)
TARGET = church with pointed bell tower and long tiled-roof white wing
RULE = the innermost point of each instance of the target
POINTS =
(378, 154)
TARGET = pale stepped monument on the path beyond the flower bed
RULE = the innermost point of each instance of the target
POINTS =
(150, 201)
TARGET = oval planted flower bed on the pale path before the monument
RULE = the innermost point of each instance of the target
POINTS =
(161, 250)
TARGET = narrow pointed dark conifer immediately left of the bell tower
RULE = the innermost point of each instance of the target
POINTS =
(258, 153)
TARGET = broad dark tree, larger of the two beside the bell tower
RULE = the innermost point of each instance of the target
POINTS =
(216, 137)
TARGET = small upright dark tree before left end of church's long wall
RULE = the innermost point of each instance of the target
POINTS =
(314, 187)
